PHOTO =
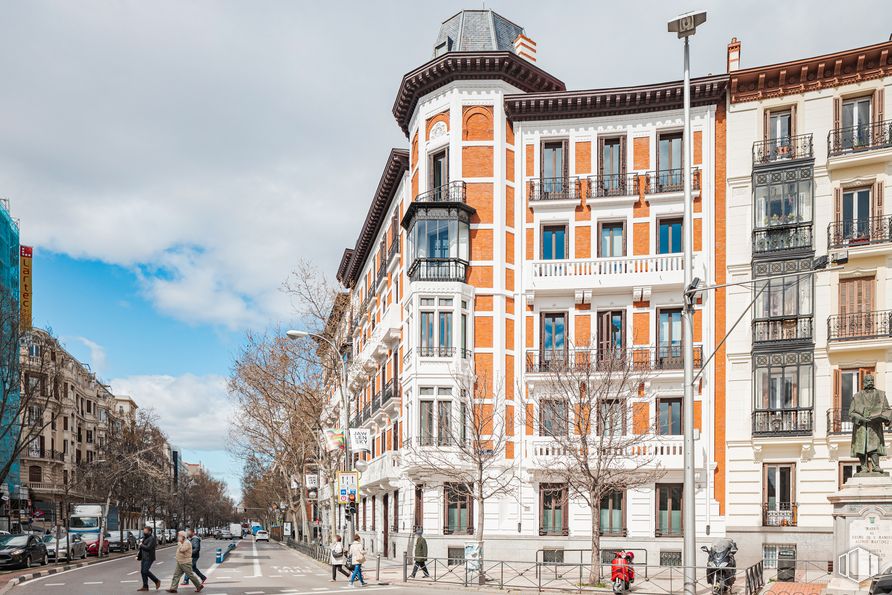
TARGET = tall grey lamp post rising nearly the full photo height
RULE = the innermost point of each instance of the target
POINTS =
(685, 26)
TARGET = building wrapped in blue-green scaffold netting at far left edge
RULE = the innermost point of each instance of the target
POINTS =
(9, 286)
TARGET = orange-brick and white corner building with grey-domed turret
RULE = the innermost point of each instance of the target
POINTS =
(527, 220)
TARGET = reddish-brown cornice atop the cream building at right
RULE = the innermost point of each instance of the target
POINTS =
(811, 74)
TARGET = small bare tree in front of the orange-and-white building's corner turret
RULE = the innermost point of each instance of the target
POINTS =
(467, 446)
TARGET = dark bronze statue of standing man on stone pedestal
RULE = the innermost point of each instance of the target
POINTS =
(869, 413)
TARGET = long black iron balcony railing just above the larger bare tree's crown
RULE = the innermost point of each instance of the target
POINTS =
(668, 357)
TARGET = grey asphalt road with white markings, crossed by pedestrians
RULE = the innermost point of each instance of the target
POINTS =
(251, 569)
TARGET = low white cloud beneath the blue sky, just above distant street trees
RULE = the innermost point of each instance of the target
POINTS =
(194, 411)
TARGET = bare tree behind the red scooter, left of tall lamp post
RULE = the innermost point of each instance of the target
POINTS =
(584, 400)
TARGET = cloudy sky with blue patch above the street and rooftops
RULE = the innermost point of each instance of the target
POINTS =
(171, 161)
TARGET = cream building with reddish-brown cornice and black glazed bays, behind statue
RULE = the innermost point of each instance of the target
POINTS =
(809, 160)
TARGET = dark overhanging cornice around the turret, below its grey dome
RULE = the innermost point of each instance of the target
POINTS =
(506, 66)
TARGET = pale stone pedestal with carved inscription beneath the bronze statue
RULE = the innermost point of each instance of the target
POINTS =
(862, 533)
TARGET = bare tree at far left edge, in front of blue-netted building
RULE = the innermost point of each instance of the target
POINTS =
(31, 365)
